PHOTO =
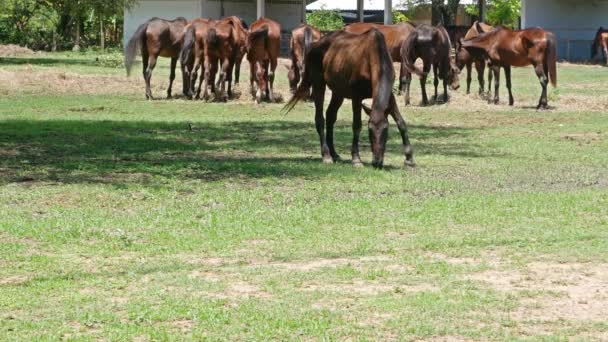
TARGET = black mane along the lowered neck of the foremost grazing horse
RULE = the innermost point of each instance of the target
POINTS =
(386, 72)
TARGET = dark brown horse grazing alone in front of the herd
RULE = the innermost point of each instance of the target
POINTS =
(357, 67)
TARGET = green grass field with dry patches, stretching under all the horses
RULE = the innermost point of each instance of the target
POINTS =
(122, 219)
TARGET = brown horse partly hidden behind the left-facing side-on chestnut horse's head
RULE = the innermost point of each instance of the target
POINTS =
(465, 59)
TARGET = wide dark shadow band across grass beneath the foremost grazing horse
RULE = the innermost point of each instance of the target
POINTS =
(123, 152)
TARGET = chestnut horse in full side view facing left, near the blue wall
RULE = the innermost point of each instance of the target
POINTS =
(505, 48)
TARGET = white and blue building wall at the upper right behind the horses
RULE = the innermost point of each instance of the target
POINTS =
(574, 22)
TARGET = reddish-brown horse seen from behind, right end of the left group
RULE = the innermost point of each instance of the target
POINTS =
(263, 47)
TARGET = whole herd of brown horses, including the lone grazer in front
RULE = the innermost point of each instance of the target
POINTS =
(355, 63)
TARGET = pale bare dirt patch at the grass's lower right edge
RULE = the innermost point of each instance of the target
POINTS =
(573, 291)
